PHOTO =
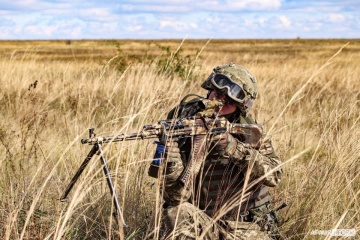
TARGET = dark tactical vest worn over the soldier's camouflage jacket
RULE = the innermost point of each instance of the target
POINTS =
(220, 180)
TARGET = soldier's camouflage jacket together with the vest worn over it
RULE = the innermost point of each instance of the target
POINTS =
(218, 188)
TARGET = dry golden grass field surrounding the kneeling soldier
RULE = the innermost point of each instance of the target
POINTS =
(53, 91)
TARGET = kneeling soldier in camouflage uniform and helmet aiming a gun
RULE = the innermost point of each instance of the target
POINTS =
(229, 197)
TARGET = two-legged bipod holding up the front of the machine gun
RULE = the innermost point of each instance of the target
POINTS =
(96, 149)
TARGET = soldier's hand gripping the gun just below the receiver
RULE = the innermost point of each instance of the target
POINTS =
(224, 144)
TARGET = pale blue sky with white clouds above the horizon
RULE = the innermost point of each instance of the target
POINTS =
(161, 19)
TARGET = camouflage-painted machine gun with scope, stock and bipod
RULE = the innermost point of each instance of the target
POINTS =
(204, 123)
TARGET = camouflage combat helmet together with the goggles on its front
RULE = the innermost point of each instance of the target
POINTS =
(235, 82)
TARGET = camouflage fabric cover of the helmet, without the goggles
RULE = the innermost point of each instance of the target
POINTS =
(239, 75)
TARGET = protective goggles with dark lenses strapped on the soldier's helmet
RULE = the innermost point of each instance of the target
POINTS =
(225, 85)
